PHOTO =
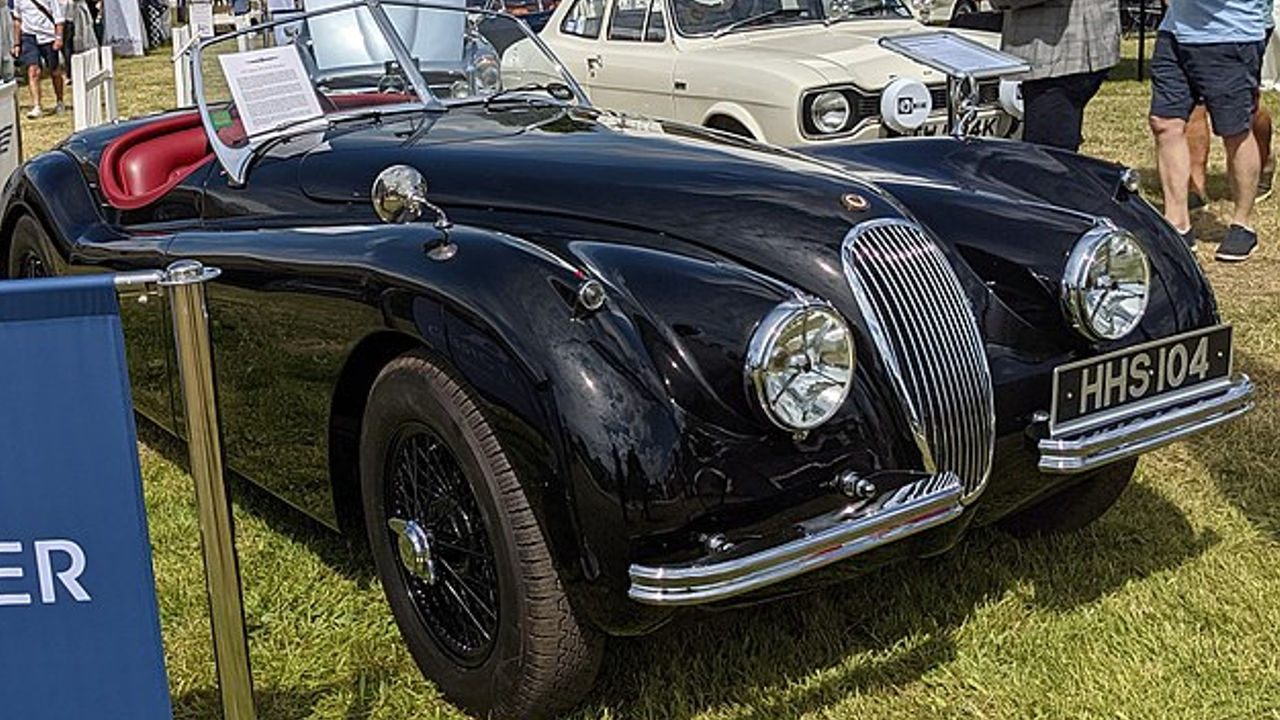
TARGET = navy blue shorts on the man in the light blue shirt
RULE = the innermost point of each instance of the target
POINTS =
(1224, 76)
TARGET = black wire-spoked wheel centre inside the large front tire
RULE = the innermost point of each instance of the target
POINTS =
(458, 600)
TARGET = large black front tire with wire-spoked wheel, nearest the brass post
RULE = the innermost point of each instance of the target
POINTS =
(538, 659)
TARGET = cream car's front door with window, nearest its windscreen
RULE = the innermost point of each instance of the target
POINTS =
(636, 69)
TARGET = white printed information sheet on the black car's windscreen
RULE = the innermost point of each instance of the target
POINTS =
(271, 89)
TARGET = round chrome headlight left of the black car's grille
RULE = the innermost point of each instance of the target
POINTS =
(801, 364)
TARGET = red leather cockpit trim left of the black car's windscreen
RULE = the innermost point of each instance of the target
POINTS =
(144, 165)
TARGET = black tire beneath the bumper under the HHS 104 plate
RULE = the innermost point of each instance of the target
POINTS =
(1073, 508)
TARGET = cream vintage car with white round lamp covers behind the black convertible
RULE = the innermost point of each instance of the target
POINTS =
(788, 72)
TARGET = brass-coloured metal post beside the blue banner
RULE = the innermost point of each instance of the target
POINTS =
(185, 281)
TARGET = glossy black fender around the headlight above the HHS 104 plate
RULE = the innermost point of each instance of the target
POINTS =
(1014, 212)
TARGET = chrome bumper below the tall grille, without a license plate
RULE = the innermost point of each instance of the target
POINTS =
(829, 539)
